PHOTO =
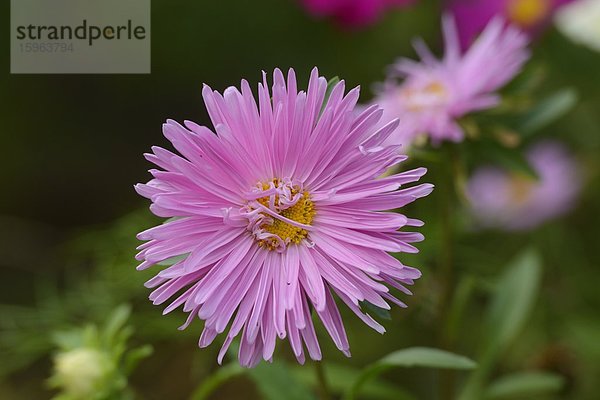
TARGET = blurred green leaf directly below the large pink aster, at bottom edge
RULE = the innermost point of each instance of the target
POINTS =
(275, 382)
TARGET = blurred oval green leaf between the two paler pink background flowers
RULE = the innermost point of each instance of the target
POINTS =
(547, 111)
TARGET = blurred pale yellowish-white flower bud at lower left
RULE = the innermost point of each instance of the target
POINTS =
(81, 372)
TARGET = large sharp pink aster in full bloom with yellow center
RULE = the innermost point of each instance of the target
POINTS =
(277, 212)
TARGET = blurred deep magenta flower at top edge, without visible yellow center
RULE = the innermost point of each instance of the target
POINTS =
(353, 13)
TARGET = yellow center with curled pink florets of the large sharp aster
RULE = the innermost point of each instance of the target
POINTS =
(280, 213)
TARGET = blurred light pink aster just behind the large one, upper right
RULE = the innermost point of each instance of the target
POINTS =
(435, 93)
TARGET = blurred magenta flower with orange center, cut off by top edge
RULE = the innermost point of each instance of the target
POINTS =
(530, 16)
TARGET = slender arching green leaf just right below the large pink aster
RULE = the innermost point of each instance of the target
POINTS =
(412, 357)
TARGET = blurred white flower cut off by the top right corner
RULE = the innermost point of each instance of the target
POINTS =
(580, 22)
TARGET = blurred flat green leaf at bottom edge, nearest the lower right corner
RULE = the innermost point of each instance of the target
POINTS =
(524, 385)
